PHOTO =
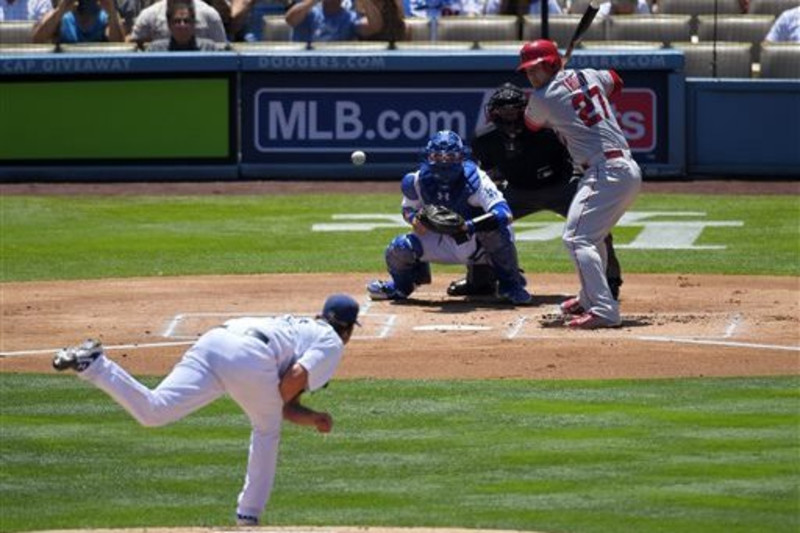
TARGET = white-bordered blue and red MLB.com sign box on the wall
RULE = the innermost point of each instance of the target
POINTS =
(384, 120)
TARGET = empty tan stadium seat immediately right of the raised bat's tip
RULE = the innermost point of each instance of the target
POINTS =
(663, 28)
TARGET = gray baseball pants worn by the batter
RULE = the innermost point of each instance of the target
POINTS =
(604, 194)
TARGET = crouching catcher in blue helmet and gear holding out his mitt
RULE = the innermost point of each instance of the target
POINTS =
(458, 216)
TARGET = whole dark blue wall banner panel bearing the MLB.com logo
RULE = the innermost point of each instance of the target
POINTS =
(391, 115)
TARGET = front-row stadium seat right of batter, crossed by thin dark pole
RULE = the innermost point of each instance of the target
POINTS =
(732, 59)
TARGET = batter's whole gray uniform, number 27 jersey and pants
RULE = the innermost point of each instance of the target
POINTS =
(575, 104)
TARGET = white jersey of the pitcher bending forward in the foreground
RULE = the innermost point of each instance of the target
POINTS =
(312, 343)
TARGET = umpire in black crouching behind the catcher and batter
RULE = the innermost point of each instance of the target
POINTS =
(535, 173)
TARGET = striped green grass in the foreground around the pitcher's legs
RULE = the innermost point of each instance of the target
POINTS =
(696, 455)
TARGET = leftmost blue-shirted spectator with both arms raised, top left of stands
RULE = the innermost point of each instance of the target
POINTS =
(82, 21)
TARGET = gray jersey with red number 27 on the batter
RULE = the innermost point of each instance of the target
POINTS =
(575, 104)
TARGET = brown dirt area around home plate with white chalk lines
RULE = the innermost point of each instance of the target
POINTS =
(674, 325)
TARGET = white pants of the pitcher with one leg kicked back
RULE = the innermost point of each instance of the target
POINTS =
(220, 362)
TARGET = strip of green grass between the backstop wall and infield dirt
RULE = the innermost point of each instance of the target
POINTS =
(99, 237)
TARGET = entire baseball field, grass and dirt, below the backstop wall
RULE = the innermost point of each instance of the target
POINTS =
(448, 414)
